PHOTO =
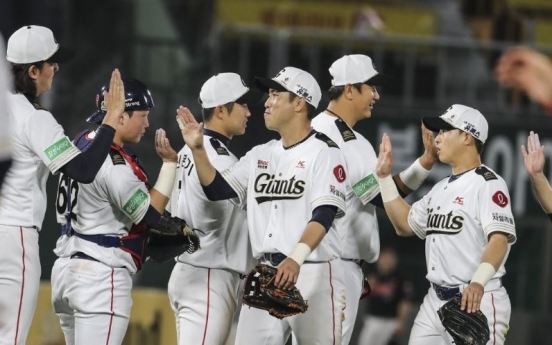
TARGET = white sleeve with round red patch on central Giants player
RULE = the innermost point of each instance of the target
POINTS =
(329, 181)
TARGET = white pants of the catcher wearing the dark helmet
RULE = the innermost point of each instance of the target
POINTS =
(92, 301)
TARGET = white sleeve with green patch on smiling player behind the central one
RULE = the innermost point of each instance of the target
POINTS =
(361, 165)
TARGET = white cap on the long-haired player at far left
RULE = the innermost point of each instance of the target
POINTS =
(33, 43)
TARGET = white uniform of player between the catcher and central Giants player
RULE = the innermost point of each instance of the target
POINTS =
(203, 288)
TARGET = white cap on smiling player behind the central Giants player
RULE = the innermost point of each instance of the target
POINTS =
(354, 69)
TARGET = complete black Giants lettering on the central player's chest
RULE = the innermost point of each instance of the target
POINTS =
(274, 189)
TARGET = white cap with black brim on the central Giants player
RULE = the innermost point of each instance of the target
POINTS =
(294, 80)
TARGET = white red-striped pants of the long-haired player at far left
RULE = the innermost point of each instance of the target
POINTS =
(19, 282)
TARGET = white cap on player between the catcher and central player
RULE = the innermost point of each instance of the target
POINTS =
(224, 88)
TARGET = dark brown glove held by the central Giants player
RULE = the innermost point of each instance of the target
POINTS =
(260, 292)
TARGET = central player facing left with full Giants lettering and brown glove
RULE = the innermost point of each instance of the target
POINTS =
(294, 188)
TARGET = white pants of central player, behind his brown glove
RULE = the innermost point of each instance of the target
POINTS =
(322, 284)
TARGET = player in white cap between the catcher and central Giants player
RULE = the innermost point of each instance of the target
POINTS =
(203, 288)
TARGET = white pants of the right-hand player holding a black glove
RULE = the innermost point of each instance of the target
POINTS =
(428, 330)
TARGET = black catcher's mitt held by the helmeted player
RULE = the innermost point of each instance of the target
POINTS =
(169, 238)
